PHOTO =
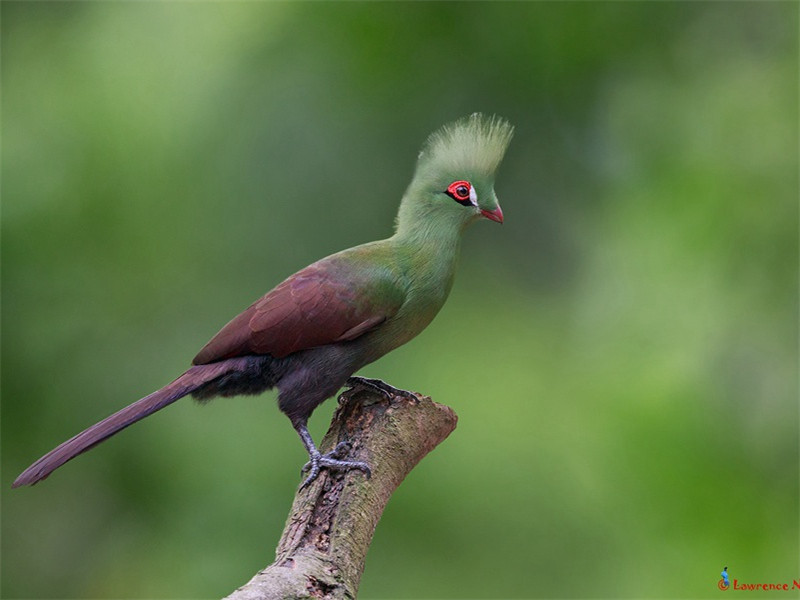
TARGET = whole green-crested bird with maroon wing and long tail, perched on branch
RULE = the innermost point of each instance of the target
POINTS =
(309, 335)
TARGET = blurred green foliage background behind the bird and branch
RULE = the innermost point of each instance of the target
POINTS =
(622, 353)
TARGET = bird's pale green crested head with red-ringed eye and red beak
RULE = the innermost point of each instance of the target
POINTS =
(454, 180)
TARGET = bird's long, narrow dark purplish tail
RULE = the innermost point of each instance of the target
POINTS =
(192, 379)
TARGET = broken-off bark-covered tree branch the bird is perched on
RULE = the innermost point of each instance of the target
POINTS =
(322, 550)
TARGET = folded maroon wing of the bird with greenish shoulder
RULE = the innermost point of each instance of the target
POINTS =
(327, 302)
